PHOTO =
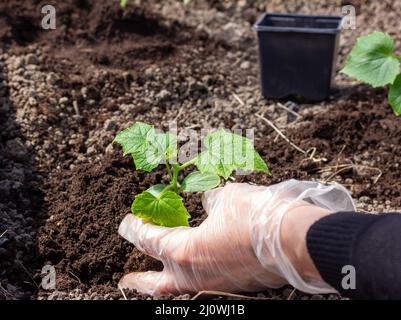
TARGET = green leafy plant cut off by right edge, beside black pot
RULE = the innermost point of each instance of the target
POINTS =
(373, 61)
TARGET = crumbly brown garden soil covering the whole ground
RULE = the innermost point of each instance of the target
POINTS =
(65, 93)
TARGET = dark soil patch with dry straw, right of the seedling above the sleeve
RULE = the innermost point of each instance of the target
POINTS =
(357, 128)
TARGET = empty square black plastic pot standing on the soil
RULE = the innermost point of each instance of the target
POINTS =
(297, 54)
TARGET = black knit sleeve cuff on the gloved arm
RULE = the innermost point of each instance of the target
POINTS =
(371, 244)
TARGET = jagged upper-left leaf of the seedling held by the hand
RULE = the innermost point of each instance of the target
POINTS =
(146, 146)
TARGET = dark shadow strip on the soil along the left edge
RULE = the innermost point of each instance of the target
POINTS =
(20, 203)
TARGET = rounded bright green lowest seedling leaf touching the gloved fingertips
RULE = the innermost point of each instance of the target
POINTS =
(166, 209)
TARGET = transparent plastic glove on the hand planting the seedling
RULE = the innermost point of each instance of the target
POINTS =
(237, 248)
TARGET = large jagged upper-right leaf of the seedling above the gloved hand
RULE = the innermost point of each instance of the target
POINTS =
(226, 152)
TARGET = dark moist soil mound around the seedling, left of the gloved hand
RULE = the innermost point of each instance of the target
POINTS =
(85, 211)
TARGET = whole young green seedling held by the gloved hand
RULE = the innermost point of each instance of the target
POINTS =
(161, 204)
